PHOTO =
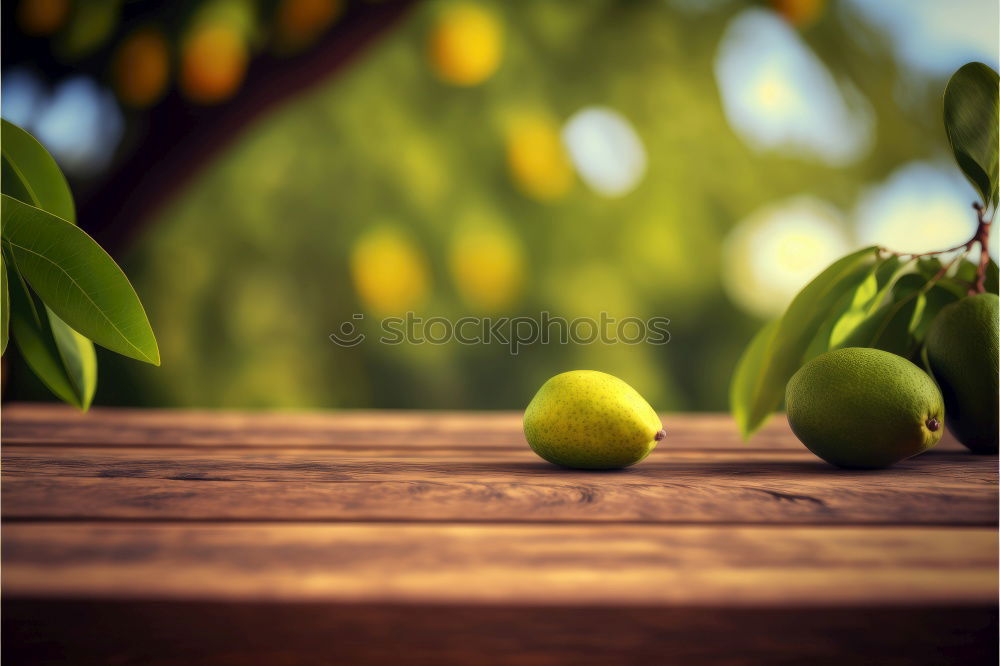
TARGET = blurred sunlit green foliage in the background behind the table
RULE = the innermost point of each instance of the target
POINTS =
(248, 271)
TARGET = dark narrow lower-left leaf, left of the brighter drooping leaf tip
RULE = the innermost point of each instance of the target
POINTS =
(33, 335)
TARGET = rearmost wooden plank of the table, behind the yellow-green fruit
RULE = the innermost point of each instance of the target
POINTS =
(25, 424)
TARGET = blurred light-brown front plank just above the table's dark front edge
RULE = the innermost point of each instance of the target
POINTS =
(610, 565)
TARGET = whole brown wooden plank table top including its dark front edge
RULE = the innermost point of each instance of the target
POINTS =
(154, 536)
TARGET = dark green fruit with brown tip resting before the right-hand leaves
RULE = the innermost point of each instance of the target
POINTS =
(864, 408)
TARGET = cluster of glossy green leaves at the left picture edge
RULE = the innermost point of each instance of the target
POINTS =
(61, 292)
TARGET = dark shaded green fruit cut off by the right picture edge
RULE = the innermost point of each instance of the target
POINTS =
(963, 356)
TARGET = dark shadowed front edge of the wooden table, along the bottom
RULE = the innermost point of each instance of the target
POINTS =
(285, 634)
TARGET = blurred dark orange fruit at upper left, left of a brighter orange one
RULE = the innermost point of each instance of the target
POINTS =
(141, 67)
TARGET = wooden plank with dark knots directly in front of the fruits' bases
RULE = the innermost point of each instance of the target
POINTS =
(713, 487)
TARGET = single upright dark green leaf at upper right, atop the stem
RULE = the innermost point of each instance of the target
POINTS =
(971, 120)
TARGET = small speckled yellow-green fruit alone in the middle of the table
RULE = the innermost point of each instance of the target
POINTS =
(591, 420)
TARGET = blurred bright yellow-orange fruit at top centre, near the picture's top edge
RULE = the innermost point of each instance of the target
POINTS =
(466, 44)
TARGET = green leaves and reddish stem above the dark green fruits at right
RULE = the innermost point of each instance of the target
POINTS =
(874, 298)
